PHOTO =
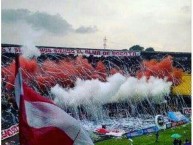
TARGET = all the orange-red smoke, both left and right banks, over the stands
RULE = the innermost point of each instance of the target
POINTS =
(65, 72)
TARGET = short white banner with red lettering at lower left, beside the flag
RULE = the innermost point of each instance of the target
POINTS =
(6, 133)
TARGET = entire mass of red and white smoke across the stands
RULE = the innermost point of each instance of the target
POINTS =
(92, 84)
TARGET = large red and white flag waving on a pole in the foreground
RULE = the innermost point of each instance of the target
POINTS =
(41, 122)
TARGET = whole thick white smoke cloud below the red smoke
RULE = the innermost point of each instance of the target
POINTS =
(117, 88)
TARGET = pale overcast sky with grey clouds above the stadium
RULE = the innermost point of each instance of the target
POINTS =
(164, 25)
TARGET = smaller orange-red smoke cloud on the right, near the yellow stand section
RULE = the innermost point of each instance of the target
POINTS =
(161, 69)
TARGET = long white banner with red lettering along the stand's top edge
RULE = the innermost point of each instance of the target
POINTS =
(76, 51)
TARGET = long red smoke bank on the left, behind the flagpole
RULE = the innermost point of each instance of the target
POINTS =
(49, 73)
